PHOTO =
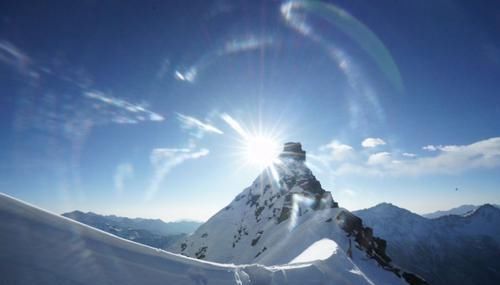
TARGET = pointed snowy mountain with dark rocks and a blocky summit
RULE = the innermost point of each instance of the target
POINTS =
(285, 216)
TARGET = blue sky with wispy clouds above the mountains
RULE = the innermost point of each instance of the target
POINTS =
(125, 107)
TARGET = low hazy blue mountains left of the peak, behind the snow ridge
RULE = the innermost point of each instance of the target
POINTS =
(152, 232)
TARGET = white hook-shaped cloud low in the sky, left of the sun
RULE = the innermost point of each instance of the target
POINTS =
(165, 159)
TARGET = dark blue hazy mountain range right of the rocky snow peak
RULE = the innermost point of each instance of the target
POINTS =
(450, 249)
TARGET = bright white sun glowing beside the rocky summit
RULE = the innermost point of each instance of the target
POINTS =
(261, 151)
